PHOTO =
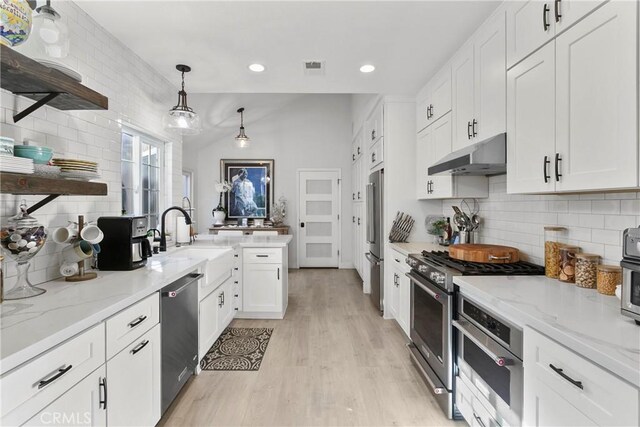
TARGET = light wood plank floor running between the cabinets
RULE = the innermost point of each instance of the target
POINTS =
(333, 361)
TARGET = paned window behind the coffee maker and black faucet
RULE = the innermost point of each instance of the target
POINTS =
(142, 171)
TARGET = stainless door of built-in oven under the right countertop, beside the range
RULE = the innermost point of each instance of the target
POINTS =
(495, 373)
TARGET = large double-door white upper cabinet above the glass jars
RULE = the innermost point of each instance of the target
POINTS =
(571, 108)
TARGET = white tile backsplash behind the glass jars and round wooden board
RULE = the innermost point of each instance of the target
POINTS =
(595, 222)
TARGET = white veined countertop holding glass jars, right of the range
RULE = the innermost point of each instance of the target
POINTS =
(581, 319)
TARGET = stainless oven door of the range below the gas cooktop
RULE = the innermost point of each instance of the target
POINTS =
(431, 315)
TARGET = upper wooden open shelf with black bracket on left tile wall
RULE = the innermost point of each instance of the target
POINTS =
(24, 76)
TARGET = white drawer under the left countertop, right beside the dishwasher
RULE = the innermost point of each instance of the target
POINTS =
(131, 323)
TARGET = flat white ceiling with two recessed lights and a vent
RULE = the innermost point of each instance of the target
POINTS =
(406, 41)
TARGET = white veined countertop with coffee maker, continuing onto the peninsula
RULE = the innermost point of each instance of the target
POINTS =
(31, 326)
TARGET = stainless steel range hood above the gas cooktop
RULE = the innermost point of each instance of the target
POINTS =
(488, 157)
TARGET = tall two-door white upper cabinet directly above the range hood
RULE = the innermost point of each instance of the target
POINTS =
(479, 85)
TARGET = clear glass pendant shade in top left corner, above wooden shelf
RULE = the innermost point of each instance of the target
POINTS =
(49, 39)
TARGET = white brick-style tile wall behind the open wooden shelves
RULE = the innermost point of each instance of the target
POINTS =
(137, 94)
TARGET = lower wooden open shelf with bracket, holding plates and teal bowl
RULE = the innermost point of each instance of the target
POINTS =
(25, 184)
